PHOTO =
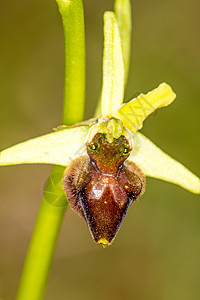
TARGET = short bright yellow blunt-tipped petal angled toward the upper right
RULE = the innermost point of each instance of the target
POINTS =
(137, 110)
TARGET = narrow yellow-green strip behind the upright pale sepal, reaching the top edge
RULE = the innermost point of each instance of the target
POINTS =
(123, 15)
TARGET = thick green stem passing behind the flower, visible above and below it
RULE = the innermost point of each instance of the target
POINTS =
(54, 202)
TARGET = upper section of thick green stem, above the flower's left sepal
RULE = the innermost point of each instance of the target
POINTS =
(74, 36)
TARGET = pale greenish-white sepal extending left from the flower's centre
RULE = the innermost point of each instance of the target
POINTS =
(56, 148)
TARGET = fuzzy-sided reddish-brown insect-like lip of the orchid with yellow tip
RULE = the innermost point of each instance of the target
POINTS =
(101, 186)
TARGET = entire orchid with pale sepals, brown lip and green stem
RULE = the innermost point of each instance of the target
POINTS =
(107, 151)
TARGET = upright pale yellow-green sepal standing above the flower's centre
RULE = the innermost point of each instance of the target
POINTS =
(113, 68)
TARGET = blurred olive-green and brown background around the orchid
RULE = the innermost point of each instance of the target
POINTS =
(156, 254)
